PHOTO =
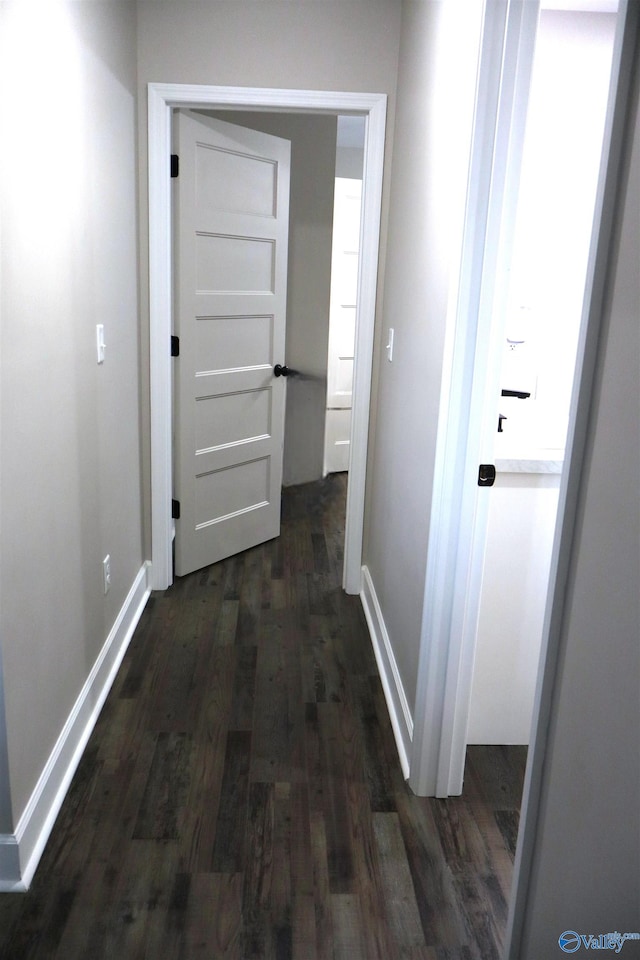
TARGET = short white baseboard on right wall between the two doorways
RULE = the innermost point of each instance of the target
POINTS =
(397, 703)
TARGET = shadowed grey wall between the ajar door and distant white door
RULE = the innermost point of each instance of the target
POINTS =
(313, 160)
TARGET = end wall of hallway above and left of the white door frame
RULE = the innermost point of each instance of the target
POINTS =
(346, 46)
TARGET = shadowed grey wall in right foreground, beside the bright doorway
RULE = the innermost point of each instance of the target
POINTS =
(586, 868)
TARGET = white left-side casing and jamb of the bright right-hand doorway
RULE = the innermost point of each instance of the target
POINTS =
(454, 564)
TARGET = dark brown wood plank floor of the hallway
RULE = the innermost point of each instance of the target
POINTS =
(241, 794)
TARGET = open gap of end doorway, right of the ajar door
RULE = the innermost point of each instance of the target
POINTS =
(327, 157)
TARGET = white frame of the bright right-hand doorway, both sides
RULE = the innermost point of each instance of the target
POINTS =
(458, 516)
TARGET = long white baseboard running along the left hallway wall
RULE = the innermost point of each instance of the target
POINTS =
(20, 852)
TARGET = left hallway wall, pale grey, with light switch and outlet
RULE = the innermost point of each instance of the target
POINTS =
(70, 471)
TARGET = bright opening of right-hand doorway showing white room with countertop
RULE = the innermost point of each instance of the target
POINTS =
(560, 166)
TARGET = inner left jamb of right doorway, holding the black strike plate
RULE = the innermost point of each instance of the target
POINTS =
(517, 67)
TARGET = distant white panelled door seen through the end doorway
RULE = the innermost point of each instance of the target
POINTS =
(342, 322)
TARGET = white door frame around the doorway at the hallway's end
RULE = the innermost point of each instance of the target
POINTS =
(162, 98)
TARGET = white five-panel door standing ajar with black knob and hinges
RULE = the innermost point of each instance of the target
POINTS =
(232, 216)
